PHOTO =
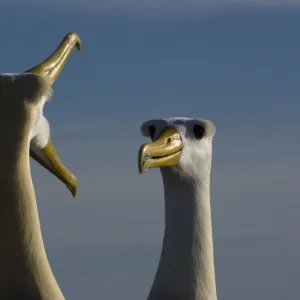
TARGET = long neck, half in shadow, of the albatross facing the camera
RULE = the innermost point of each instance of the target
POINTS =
(186, 267)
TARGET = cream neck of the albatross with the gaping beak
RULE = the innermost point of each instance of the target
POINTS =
(25, 272)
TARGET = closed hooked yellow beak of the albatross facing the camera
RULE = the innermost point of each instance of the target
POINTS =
(164, 152)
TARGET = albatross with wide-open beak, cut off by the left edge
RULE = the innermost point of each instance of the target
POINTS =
(25, 272)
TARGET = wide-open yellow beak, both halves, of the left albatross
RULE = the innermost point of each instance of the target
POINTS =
(50, 70)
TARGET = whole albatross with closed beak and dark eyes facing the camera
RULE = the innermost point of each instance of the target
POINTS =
(182, 148)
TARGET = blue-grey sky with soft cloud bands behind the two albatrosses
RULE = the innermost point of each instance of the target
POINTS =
(233, 63)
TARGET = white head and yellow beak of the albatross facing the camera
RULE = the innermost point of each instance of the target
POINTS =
(183, 144)
